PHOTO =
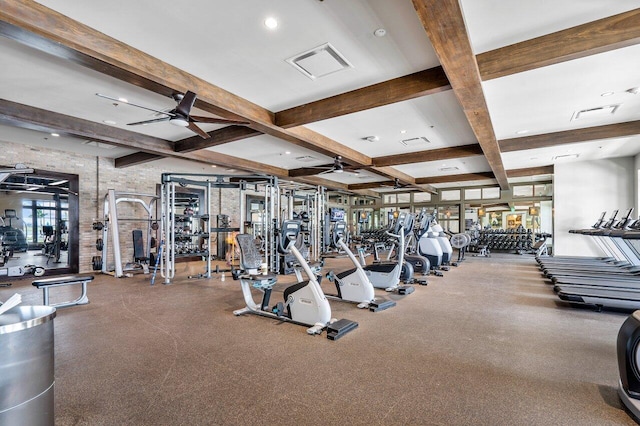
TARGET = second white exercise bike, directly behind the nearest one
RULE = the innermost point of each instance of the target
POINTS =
(353, 285)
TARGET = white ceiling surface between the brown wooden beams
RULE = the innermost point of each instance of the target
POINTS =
(226, 44)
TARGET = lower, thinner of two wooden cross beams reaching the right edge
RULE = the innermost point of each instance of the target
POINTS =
(609, 131)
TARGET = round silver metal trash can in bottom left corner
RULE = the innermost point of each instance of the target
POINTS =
(27, 366)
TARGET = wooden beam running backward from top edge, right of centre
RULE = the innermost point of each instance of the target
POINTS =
(444, 24)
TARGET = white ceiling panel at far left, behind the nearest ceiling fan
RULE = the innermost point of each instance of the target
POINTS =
(44, 81)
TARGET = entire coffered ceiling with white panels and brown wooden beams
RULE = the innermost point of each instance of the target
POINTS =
(431, 93)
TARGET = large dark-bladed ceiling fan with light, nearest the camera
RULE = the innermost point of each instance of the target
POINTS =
(178, 116)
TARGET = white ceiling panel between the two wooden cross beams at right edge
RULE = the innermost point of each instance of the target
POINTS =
(545, 100)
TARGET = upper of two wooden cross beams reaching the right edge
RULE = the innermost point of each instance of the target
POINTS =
(599, 36)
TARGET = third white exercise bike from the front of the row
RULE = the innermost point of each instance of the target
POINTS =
(387, 274)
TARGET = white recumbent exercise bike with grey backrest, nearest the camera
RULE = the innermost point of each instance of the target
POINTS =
(304, 302)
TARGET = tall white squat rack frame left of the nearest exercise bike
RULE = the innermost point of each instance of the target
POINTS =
(266, 185)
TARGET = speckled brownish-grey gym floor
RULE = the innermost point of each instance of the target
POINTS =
(488, 344)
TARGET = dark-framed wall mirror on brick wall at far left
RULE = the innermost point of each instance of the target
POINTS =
(38, 222)
